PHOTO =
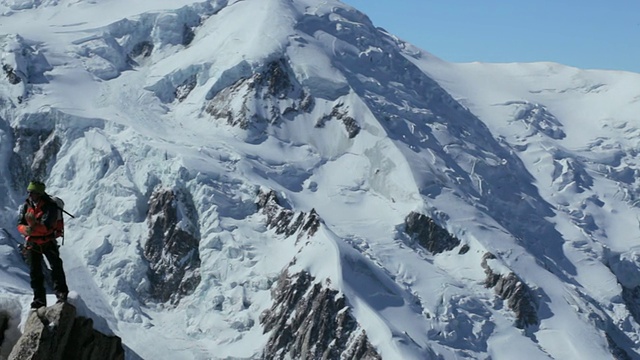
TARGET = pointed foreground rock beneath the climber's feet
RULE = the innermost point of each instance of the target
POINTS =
(59, 334)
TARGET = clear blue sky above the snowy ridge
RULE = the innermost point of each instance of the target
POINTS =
(589, 34)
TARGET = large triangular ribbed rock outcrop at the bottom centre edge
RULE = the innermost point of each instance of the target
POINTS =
(309, 321)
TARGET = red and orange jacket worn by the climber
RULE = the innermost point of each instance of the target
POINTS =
(36, 221)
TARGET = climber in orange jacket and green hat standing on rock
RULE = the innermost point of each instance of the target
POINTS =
(38, 216)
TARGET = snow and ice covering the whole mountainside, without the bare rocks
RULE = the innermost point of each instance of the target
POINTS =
(534, 163)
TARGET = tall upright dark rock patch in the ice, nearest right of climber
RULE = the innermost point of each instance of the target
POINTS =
(172, 246)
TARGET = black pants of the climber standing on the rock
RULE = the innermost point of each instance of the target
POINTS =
(34, 257)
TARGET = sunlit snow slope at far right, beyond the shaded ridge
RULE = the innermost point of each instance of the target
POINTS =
(575, 132)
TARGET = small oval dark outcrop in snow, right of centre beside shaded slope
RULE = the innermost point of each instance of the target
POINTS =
(429, 234)
